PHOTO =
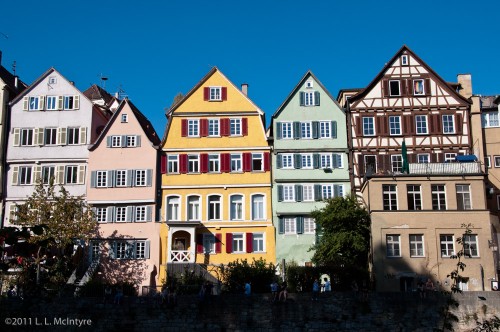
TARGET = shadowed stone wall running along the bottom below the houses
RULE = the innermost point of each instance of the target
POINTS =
(233, 312)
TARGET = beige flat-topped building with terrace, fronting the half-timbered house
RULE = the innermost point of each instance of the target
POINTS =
(416, 221)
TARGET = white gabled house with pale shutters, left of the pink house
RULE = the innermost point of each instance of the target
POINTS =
(51, 126)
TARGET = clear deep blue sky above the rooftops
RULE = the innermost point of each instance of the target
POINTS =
(156, 49)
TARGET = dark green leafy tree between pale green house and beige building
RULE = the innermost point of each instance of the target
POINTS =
(344, 240)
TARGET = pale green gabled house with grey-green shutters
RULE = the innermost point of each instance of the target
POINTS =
(309, 138)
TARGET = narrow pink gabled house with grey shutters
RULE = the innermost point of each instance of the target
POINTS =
(122, 189)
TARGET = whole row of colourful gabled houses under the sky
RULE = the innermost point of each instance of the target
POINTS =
(220, 185)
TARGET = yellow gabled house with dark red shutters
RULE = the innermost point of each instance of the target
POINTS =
(216, 182)
